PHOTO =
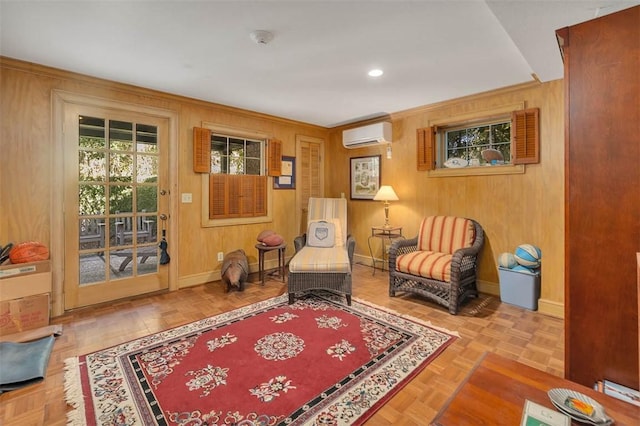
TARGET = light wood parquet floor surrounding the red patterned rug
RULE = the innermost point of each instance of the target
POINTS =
(484, 324)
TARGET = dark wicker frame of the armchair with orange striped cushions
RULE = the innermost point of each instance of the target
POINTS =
(449, 294)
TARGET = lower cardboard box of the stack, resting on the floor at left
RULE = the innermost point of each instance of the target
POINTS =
(24, 314)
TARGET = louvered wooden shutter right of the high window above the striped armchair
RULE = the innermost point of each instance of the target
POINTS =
(525, 141)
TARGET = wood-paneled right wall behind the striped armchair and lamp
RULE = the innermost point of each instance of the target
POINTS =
(513, 209)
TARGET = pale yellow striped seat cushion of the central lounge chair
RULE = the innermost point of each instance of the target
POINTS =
(319, 259)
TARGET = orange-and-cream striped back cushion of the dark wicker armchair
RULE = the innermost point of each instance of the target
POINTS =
(445, 234)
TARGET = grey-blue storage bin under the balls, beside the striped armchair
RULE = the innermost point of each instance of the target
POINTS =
(519, 288)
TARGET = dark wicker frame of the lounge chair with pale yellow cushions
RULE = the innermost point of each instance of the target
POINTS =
(331, 281)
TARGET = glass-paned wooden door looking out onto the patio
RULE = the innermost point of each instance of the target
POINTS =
(115, 206)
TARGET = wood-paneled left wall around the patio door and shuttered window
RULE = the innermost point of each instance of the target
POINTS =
(26, 144)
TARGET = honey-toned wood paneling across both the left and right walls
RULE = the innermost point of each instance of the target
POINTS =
(513, 209)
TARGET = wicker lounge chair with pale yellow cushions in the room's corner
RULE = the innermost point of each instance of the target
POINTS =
(323, 268)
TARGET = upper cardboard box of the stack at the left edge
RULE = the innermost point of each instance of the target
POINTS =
(24, 279)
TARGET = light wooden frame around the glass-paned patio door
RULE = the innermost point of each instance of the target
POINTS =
(60, 99)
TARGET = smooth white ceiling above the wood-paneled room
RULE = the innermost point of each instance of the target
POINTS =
(315, 69)
